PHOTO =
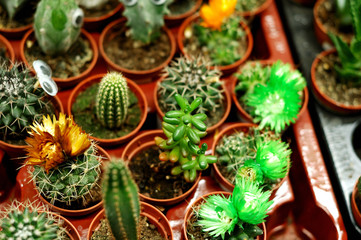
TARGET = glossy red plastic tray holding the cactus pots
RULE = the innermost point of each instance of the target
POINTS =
(304, 206)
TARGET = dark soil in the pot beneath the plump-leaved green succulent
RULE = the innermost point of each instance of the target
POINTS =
(154, 178)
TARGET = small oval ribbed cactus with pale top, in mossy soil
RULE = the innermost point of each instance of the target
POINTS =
(112, 100)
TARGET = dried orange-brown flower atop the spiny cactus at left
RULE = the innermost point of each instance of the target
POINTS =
(54, 141)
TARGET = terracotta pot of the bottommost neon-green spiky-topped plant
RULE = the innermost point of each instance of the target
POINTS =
(189, 214)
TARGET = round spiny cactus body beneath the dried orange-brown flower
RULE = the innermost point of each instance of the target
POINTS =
(71, 182)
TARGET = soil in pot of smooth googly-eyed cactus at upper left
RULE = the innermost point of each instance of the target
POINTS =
(75, 61)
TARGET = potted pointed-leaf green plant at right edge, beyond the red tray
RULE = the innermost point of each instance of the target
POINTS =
(335, 74)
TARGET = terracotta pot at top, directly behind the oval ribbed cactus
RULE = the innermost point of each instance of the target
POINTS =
(137, 75)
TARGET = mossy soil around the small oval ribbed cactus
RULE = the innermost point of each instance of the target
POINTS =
(83, 111)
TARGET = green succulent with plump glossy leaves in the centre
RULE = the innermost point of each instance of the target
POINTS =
(183, 131)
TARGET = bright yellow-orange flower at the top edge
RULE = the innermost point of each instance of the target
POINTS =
(214, 13)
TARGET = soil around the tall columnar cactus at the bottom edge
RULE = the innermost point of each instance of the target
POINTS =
(147, 231)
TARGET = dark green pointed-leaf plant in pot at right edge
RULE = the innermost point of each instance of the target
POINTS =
(349, 71)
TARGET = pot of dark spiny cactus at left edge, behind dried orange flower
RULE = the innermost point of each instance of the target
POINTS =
(15, 151)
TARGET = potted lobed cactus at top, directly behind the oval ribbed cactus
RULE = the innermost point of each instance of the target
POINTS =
(146, 46)
